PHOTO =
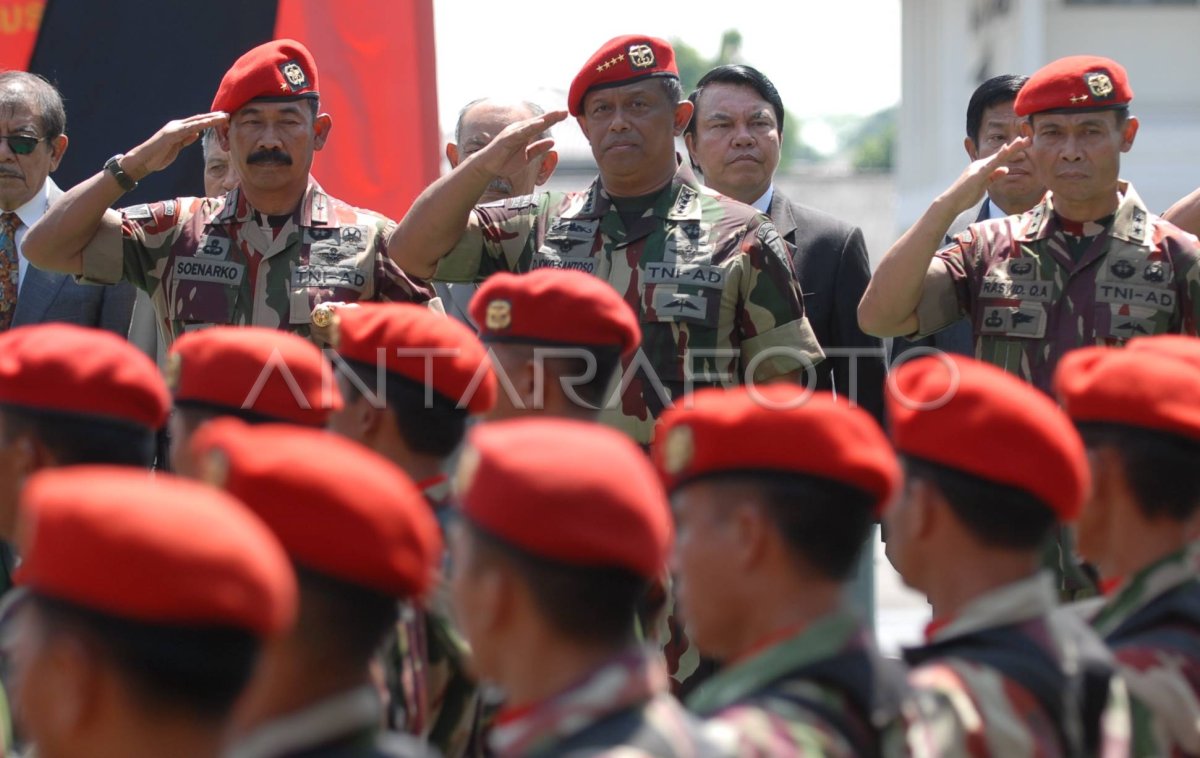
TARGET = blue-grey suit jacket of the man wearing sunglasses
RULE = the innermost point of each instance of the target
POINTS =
(47, 297)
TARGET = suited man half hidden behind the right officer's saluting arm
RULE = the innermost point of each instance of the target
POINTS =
(992, 125)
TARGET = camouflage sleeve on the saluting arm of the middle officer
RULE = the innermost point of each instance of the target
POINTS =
(496, 240)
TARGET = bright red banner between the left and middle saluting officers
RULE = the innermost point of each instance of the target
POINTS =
(377, 73)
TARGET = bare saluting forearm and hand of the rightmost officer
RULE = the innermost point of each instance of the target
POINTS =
(890, 305)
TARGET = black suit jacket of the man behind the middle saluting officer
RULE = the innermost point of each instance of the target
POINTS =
(832, 266)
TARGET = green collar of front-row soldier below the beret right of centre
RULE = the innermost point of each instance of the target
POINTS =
(819, 641)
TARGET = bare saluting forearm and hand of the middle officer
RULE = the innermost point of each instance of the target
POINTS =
(440, 215)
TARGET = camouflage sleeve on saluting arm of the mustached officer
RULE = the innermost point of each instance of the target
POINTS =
(133, 244)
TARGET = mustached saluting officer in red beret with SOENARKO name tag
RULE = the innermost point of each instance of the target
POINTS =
(269, 252)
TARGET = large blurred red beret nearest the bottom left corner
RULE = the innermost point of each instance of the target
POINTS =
(157, 550)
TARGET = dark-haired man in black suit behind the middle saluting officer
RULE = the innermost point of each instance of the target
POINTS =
(735, 140)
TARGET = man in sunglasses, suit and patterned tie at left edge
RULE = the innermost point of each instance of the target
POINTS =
(33, 122)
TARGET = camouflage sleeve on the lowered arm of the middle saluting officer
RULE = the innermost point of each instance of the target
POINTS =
(777, 339)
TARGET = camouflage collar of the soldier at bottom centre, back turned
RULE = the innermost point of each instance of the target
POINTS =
(625, 682)
